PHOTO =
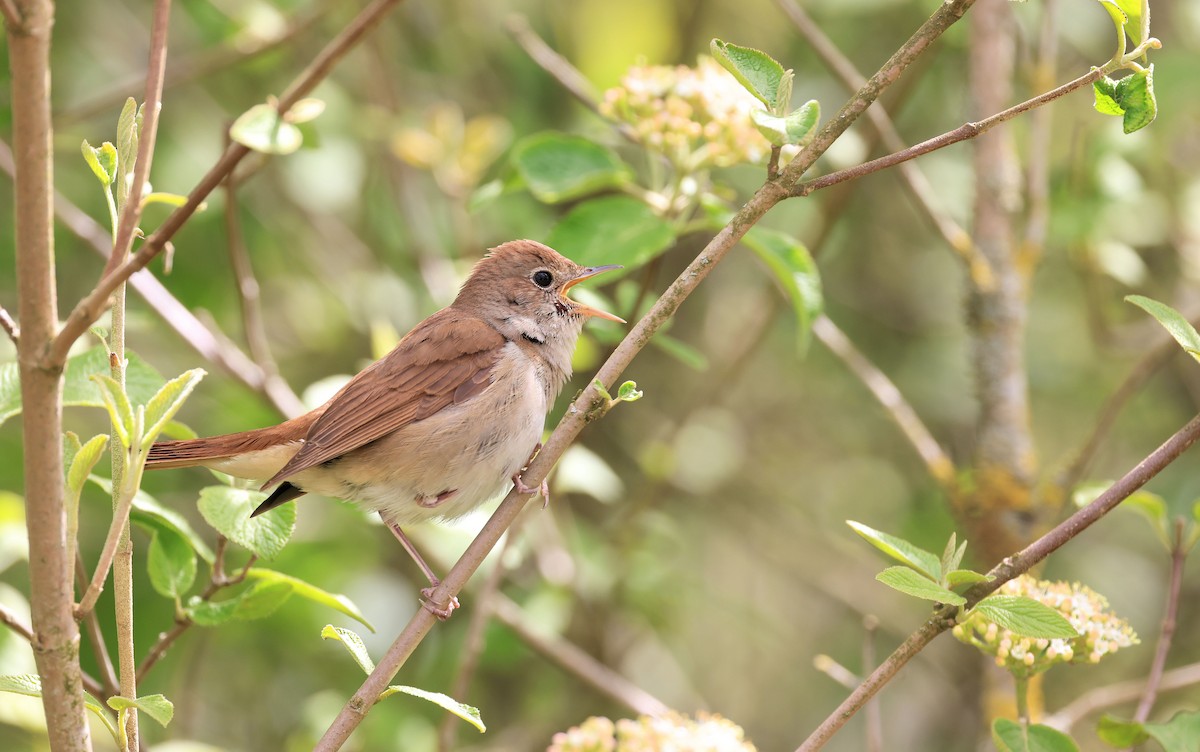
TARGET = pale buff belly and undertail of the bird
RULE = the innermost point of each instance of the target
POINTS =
(442, 467)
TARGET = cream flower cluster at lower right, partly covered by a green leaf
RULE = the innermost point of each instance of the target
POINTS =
(1101, 633)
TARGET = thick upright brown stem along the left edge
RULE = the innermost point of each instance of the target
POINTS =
(56, 634)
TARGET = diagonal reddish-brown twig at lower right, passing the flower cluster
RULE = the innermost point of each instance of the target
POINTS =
(1009, 569)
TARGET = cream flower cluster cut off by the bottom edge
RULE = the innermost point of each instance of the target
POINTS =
(705, 733)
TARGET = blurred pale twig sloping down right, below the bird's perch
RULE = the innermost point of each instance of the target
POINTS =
(608, 682)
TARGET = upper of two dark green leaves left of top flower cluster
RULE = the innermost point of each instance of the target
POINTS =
(557, 167)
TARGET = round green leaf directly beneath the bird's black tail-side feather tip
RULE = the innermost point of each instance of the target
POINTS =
(229, 512)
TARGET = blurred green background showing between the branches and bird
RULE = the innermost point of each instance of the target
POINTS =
(707, 560)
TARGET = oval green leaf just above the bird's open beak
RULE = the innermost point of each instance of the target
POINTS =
(613, 230)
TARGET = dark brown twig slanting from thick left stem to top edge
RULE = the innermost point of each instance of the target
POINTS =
(88, 310)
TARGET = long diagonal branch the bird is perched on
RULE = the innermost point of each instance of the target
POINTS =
(591, 405)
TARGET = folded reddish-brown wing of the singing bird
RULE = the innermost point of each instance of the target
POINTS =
(447, 360)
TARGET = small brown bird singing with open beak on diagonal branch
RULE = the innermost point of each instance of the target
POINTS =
(442, 424)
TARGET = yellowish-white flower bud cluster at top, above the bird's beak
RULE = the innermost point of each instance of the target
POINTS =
(697, 117)
